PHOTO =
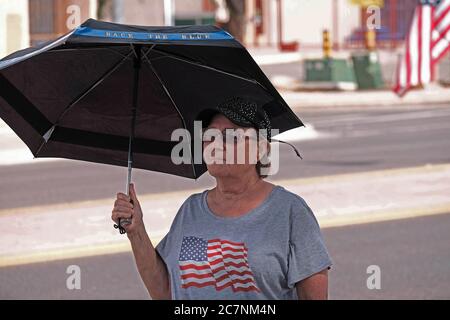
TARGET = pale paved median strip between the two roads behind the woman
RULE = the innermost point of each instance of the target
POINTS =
(83, 229)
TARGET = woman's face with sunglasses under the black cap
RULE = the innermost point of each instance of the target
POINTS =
(237, 161)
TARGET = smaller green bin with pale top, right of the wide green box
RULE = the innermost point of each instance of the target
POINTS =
(367, 70)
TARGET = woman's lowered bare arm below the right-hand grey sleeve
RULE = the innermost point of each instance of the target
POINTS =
(314, 287)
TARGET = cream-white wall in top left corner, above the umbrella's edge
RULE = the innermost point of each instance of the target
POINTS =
(14, 26)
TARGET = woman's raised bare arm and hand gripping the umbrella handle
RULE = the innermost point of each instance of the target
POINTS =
(150, 265)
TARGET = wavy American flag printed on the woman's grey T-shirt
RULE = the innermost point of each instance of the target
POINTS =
(216, 262)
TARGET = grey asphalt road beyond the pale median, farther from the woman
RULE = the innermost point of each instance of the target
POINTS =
(350, 141)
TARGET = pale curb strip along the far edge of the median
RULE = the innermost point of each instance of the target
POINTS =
(168, 195)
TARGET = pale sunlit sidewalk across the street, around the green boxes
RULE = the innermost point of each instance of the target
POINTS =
(291, 87)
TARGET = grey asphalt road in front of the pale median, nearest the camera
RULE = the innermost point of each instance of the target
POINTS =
(412, 254)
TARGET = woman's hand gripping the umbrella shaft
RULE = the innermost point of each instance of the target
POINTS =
(126, 209)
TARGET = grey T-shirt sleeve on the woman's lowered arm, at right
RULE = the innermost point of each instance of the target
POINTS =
(307, 251)
